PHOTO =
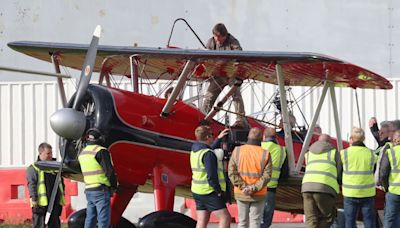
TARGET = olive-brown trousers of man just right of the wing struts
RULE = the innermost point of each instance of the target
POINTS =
(319, 209)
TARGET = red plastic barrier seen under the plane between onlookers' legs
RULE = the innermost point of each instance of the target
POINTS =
(279, 216)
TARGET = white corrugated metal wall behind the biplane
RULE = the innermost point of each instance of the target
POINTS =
(27, 106)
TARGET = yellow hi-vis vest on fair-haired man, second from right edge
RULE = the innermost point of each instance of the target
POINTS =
(358, 172)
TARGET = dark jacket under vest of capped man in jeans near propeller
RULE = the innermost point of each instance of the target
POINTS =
(104, 159)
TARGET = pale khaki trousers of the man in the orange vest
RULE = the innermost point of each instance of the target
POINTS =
(250, 213)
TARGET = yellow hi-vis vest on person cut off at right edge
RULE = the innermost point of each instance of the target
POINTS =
(394, 176)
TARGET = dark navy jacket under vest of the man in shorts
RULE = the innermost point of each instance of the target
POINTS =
(210, 163)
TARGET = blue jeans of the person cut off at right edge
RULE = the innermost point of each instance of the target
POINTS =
(392, 211)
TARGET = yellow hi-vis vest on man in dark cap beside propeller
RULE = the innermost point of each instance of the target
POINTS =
(93, 173)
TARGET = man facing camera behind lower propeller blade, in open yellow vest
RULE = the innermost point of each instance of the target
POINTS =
(40, 186)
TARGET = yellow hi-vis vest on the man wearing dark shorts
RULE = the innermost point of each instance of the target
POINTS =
(199, 175)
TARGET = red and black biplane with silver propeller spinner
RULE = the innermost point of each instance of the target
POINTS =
(150, 137)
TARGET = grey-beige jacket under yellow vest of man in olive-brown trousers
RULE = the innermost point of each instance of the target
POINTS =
(318, 148)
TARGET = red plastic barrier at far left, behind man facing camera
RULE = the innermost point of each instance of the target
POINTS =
(14, 197)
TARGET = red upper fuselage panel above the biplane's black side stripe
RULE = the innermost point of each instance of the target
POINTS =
(143, 112)
